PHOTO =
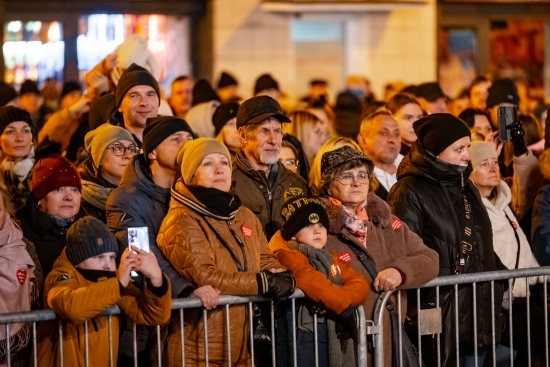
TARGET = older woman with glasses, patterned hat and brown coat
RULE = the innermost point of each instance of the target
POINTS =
(361, 223)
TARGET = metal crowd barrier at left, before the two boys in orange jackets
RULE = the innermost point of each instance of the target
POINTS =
(180, 305)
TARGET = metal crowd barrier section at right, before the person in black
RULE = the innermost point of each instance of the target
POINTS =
(430, 319)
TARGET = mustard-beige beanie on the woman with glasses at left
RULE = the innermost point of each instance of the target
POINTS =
(97, 141)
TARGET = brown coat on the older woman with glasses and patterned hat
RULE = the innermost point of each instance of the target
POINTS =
(390, 244)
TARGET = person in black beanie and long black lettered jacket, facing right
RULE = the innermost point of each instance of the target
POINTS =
(434, 197)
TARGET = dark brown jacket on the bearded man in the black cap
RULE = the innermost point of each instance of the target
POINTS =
(253, 188)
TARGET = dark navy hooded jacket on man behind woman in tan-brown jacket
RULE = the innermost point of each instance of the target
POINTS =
(139, 202)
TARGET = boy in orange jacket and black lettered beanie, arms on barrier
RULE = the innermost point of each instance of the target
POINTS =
(333, 289)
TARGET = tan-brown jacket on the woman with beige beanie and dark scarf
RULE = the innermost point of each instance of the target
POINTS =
(188, 241)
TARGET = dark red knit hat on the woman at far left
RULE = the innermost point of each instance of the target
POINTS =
(51, 173)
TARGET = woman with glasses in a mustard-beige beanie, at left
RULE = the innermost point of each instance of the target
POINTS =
(110, 148)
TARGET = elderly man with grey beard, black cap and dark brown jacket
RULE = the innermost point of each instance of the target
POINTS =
(260, 179)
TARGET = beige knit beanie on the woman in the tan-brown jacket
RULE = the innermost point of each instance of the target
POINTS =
(194, 151)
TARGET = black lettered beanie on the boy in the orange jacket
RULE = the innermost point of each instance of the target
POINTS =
(301, 211)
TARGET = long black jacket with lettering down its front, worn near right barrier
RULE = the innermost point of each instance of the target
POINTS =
(428, 196)
